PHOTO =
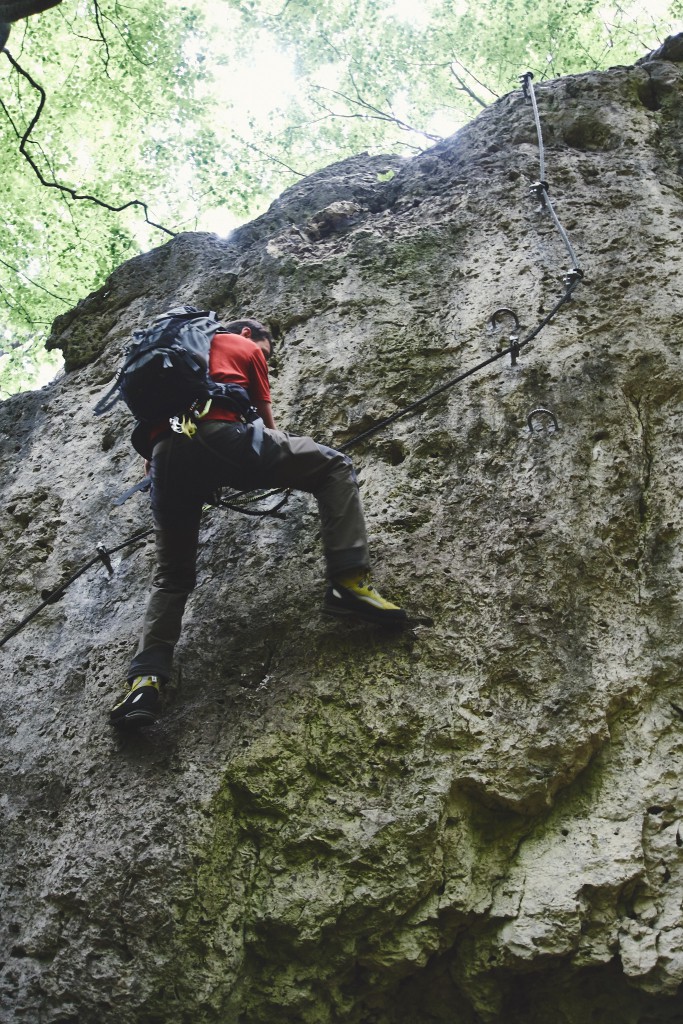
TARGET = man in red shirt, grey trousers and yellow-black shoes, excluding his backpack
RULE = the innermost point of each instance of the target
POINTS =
(226, 452)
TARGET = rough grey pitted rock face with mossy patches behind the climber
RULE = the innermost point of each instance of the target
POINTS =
(479, 821)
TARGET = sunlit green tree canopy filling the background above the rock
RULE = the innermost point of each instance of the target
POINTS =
(164, 104)
